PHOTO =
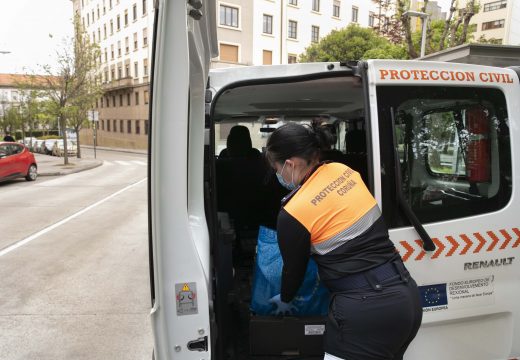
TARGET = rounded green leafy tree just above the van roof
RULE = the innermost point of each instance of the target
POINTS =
(352, 43)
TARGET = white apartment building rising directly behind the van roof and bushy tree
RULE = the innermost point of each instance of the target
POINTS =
(270, 32)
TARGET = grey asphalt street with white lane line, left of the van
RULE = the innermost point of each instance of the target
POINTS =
(74, 278)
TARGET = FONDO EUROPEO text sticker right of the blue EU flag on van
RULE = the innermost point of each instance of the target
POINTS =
(471, 292)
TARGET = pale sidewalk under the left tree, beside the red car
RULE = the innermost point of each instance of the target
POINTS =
(53, 166)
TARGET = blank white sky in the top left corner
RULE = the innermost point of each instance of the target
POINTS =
(25, 26)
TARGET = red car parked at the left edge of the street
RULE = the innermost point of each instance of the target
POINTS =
(17, 161)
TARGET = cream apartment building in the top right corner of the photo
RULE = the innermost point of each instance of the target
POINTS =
(498, 20)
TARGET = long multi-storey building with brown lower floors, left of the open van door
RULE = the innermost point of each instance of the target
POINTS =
(123, 31)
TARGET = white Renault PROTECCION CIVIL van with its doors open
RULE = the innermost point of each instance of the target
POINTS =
(435, 143)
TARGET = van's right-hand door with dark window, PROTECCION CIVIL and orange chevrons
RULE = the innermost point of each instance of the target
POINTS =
(447, 134)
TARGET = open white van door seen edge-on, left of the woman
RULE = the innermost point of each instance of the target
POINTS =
(184, 43)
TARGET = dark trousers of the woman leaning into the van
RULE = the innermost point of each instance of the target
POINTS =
(375, 322)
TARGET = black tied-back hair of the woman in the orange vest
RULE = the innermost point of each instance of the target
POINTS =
(298, 140)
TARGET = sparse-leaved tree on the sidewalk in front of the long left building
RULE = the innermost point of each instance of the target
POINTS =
(74, 82)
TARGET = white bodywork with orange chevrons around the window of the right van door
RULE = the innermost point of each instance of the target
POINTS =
(475, 263)
